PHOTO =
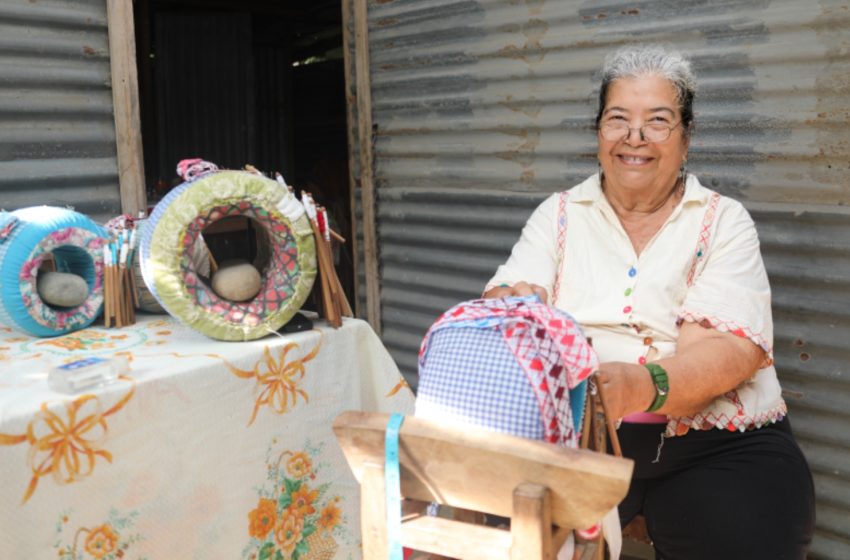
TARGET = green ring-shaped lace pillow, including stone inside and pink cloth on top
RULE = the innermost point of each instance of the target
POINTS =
(239, 299)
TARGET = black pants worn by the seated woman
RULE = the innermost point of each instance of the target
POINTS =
(716, 494)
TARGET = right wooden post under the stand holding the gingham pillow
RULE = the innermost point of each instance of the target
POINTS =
(531, 523)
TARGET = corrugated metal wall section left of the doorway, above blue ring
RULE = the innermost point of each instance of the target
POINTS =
(57, 132)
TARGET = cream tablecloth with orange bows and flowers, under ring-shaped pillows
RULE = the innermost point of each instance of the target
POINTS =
(203, 450)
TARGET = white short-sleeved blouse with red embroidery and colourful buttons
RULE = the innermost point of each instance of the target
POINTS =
(704, 265)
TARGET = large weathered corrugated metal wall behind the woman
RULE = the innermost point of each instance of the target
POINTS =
(480, 109)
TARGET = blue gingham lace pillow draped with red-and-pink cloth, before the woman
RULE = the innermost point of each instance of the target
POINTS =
(510, 365)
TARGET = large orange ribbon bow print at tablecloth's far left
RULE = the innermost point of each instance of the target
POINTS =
(67, 446)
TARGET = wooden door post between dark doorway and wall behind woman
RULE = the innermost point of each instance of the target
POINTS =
(367, 186)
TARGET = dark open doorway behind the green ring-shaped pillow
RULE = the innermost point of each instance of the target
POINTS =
(238, 82)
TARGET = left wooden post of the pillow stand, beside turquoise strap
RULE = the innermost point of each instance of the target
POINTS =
(373, 512)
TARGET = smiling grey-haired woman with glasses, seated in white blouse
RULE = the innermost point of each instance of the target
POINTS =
(667, 279)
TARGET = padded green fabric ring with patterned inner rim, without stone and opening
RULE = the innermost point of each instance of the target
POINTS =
(169, 238)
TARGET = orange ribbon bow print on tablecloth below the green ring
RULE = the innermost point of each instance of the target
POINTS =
(280, 379)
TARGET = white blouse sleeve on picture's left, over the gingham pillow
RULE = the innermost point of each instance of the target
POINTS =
(532, 266)
